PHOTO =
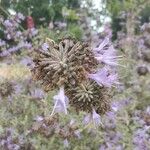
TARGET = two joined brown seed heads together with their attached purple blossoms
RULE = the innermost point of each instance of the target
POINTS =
(71, 67)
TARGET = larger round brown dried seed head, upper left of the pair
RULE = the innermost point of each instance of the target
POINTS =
(64, 63)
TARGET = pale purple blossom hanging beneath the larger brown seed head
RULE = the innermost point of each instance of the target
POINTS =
(61, 102)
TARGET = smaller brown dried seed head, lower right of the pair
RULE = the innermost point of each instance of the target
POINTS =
(88, 95)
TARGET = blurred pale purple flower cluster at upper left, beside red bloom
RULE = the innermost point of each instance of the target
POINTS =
(14, 37)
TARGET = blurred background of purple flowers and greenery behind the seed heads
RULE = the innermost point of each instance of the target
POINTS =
(24, 26)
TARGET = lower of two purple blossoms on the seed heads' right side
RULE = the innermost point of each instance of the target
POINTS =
(103, 77)
